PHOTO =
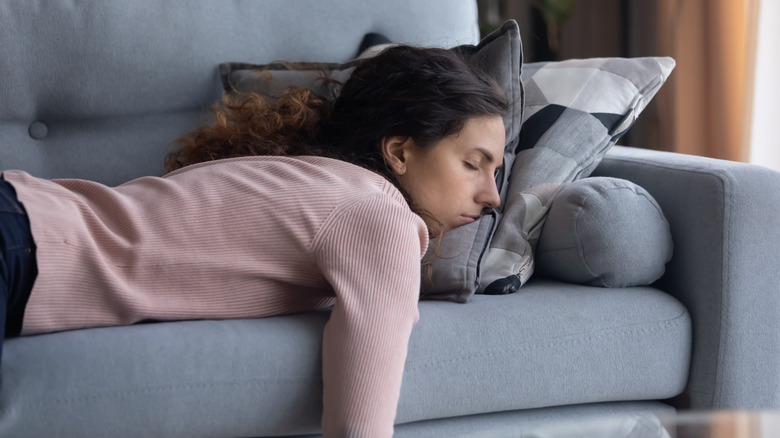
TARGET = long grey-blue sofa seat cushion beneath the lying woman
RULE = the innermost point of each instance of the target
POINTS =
(550, 344)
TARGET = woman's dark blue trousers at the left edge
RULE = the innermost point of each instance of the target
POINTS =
(18, 267)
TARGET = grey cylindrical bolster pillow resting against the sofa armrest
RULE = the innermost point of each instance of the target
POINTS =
(604, 232)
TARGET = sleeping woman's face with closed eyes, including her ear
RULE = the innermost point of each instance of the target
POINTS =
(454, 180)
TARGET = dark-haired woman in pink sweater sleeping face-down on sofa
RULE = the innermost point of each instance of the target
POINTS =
(278, 207)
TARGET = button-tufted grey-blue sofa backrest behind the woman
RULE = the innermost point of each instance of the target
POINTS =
(98, 90)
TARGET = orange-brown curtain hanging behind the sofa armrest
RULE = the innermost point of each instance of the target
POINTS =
(707, 111)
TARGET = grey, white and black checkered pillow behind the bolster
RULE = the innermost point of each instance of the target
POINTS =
(575, 110)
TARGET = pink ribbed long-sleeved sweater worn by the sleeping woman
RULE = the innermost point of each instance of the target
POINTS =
(241, 238)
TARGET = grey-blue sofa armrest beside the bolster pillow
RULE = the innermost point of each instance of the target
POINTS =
(725, 222)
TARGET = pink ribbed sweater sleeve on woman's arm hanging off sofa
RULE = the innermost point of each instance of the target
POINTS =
(370, 253)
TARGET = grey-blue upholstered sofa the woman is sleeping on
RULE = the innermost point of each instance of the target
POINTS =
(97, 89)
